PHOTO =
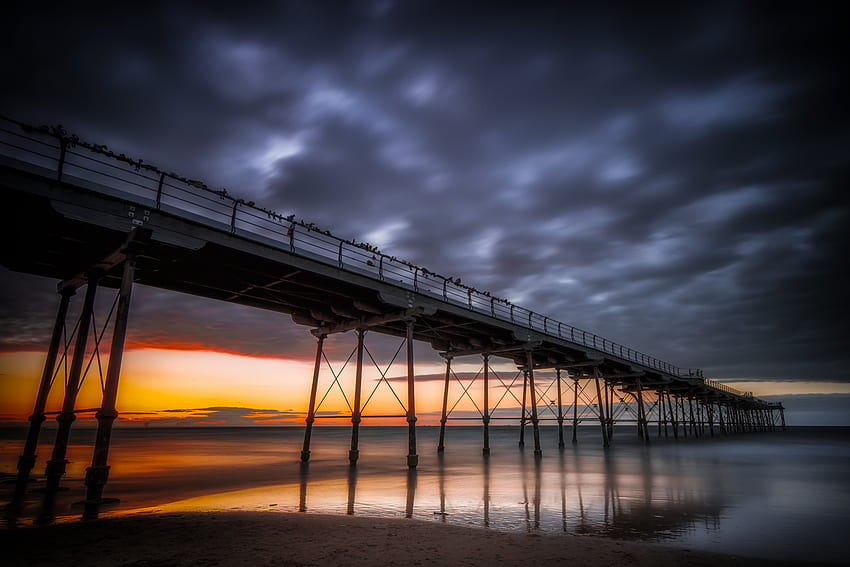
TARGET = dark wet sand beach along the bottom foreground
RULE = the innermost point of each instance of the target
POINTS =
(293, 539)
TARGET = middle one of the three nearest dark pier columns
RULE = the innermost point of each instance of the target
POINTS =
(56, 465)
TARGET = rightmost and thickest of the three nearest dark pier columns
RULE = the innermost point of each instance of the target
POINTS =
(98, 473)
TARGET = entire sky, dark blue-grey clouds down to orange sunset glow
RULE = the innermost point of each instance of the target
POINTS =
(672, 177)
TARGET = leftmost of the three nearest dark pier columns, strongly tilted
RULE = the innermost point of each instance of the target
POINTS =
(27, 460)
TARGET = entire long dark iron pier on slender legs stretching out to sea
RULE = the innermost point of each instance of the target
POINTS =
(92, 219)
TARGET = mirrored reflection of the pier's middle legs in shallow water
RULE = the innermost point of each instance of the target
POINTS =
(602, 495)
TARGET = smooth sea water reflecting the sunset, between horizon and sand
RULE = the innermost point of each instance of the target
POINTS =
(770, 495)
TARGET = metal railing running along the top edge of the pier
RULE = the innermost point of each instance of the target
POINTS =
(65, 154)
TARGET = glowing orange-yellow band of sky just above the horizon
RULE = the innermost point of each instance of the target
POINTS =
(156, 380)
